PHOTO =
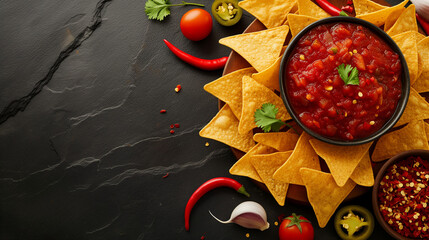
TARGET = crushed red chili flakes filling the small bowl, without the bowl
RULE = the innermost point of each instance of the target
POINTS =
(403, 197)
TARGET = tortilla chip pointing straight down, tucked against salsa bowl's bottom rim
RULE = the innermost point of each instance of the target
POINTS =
(341, 160)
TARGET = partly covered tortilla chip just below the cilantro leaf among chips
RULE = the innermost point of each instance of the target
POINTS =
(282, 141)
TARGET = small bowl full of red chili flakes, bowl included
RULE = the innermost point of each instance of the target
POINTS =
(400, 196)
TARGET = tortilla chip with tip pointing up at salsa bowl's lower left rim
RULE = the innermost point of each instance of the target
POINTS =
(302, 156)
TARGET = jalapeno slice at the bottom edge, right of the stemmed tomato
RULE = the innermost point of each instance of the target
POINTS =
(354, 223)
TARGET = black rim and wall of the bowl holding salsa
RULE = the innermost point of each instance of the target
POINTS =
(405, 78)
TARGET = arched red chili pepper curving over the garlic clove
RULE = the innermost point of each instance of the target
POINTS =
(206, 187)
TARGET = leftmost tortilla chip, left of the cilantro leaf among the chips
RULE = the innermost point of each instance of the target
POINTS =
(224, 128)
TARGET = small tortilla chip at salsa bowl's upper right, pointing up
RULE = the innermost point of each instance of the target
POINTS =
(406, 22)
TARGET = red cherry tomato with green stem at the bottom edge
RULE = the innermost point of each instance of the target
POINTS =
(297, 228)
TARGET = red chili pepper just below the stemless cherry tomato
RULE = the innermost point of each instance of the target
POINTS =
(205, 64)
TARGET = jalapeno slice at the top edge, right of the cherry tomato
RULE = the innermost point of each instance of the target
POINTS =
(226, 12)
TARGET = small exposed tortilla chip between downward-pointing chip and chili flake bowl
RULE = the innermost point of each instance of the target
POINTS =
(363, 174)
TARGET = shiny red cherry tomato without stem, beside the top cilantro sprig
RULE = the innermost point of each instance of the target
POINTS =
(196, 24)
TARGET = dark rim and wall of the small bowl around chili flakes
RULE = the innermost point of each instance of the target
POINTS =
(424, 154)
